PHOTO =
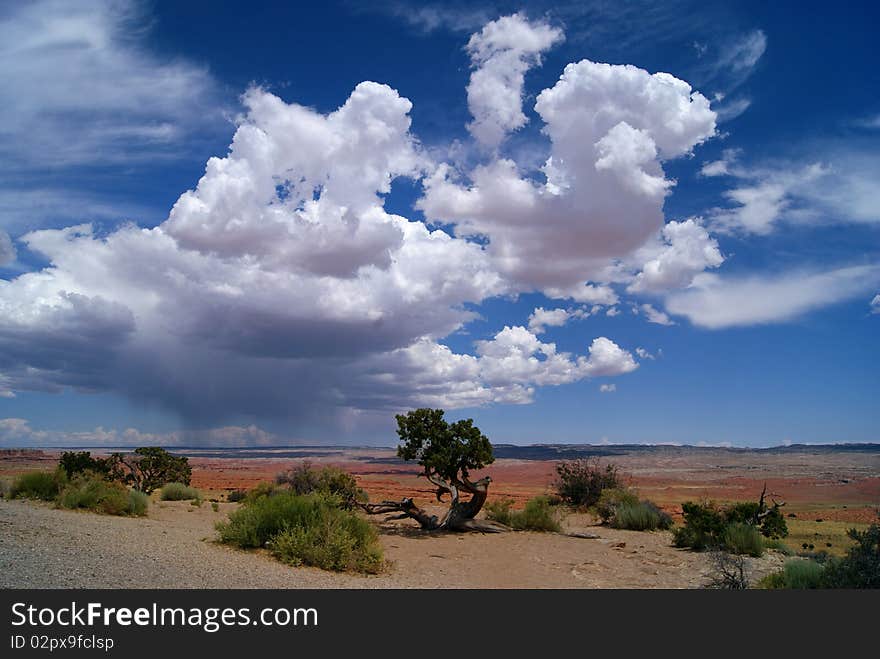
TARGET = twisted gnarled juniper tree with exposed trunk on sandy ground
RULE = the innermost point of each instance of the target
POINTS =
(447, 453)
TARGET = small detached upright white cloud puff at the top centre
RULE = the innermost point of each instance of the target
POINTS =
(501, 53)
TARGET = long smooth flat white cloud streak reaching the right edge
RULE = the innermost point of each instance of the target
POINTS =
(715, 302)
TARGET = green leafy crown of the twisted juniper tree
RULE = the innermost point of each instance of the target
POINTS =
(448, 450)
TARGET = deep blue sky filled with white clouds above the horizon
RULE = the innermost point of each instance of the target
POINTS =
(592, 222)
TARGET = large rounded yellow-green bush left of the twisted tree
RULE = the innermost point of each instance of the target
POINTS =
(311, 529)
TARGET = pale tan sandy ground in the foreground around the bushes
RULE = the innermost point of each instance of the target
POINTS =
(42, 547)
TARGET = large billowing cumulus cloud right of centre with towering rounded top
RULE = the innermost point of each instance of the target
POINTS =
(610, 127)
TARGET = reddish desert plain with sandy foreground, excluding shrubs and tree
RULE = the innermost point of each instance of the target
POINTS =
(826, 491)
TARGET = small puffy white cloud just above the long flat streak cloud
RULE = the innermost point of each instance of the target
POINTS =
(684, 250)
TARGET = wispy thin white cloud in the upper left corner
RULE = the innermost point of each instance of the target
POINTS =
(78, 86)
